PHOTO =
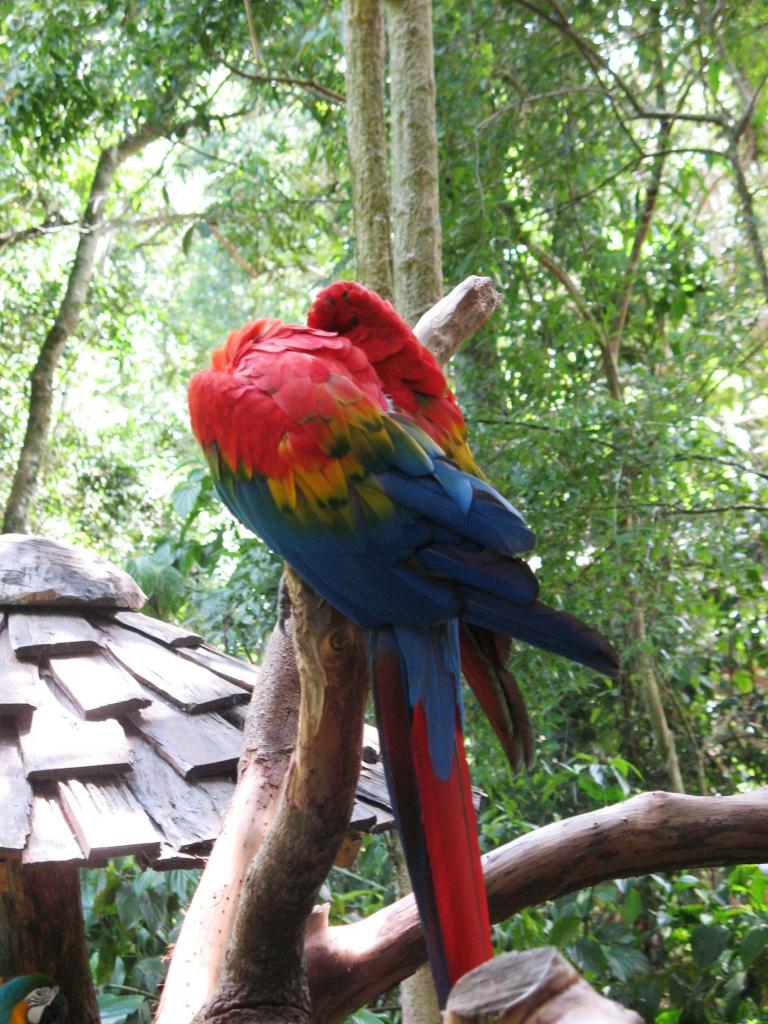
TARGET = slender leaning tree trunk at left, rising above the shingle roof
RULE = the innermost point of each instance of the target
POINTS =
(41, 381)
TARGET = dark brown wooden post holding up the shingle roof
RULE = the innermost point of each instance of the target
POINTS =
(42, 929)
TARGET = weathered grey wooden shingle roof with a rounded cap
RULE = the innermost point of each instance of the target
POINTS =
(119, 734)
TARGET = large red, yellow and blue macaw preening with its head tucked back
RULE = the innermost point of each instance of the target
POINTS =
(342, 446)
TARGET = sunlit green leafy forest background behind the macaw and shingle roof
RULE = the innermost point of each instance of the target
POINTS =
(172, 173)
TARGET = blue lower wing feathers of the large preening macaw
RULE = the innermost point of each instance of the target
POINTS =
(419, 543)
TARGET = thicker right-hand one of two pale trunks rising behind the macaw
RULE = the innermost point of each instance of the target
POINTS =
(416, 215)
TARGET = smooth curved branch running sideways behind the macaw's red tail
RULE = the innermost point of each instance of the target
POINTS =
(655, 832)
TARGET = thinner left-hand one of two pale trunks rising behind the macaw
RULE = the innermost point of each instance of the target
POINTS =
(367, 143)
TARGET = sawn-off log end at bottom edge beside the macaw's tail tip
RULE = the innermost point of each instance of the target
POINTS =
(538, 987)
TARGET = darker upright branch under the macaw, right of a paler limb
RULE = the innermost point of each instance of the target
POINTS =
(263, 978)
